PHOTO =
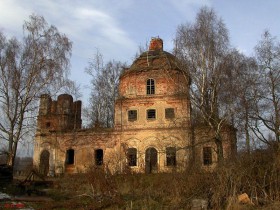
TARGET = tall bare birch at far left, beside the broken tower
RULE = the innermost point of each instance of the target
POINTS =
(28, 68)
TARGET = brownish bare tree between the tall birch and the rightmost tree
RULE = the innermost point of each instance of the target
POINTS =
(242, 90)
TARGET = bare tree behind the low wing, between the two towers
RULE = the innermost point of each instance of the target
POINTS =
(104, 84)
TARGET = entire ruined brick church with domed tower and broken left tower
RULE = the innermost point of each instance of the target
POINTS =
(153, 130)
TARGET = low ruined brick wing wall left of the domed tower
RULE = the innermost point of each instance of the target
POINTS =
(83, 143)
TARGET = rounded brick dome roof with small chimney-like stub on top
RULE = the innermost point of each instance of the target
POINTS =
(153, 59)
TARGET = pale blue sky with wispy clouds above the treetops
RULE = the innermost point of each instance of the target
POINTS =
(117, 28)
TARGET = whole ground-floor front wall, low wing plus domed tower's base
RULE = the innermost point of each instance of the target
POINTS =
(114, 146)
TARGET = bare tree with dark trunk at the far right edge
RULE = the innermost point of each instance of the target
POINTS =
(267, 103)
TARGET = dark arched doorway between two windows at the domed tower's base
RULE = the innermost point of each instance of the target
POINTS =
(151, 164)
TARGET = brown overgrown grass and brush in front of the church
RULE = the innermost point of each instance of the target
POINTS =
(257, 174)
